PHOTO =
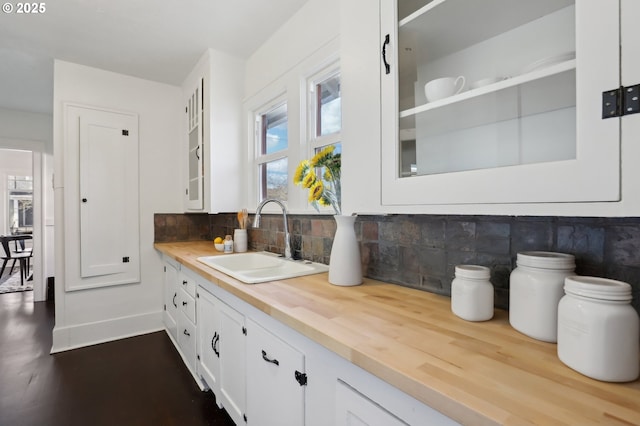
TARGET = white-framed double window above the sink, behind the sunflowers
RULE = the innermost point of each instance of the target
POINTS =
(292, 119)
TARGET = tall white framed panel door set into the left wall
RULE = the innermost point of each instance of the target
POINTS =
(101, 198)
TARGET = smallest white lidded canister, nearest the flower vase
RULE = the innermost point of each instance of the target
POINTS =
(472, 293)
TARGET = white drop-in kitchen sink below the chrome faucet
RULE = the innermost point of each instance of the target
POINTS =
(252, 268)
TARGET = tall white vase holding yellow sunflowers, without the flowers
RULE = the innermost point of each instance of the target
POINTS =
(345, 266)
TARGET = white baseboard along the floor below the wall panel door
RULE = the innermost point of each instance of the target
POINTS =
(78, 336)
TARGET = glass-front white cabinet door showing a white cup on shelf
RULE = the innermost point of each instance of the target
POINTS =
(499, 101)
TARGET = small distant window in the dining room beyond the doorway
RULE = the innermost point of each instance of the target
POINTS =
(20, 203)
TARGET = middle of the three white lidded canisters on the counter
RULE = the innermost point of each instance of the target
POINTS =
(535, 289)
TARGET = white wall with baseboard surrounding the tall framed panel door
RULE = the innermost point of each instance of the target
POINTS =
(91, 316)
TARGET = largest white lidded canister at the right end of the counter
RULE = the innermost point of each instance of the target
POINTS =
(598, 329)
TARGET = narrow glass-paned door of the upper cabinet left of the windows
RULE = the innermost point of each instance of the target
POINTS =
(195, 165)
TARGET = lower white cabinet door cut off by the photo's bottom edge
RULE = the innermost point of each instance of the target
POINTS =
(355, 409)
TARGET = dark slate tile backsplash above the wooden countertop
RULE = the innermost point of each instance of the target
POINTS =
(421, 251)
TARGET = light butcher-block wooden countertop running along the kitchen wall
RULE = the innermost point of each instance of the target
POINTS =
(475, 373)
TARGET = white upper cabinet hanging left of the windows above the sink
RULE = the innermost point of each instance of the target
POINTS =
(213, 94)
